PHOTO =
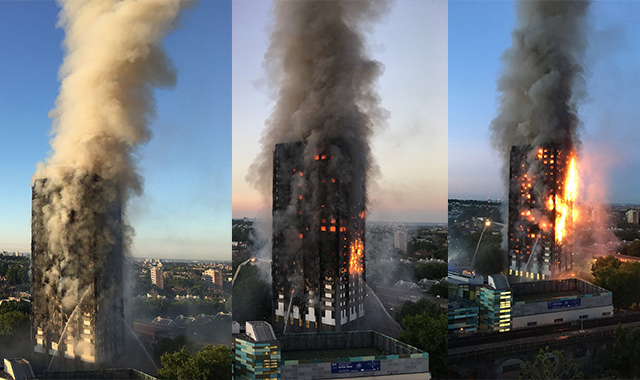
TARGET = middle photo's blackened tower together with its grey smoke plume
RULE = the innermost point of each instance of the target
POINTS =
(317, 147)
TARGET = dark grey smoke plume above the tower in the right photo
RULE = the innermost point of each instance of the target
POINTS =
(542, 79)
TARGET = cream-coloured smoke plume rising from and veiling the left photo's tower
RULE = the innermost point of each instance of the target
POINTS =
(113, 62)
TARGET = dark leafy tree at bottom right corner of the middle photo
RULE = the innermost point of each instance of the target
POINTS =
(425, 327)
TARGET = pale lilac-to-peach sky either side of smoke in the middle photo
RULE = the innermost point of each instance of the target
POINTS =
(411, 150)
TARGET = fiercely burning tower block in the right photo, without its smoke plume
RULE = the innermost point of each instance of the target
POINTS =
(540, 212)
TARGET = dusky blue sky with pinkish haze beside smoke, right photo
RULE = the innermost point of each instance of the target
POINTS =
(479, 31)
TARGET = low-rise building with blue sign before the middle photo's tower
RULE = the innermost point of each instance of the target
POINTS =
(260, 354)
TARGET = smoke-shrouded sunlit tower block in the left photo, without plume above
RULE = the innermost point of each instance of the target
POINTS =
(76, 265)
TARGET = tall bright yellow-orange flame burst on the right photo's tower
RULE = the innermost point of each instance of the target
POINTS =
(564, 203)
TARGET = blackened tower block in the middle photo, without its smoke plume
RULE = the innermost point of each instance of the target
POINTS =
(318, 263)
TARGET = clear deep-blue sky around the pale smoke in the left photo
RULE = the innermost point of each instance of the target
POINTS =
(185, 210)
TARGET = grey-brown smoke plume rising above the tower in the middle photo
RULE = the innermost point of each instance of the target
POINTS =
(324, 83)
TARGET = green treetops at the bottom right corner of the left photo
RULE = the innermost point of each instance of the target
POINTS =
(210, 363)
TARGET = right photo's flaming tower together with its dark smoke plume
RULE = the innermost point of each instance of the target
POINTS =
(536, 132)
